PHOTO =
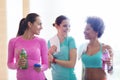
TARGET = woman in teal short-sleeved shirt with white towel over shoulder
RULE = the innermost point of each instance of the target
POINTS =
(62, 51)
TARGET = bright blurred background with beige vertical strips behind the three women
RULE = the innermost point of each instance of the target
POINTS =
(12, 11)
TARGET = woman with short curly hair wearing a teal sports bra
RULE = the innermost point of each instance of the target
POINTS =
(92, 56)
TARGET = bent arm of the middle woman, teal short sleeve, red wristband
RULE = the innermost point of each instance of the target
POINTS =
(72, 55)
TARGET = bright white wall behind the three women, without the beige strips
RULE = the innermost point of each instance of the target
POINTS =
(77, 11)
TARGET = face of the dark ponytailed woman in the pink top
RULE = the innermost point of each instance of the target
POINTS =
(36, 26)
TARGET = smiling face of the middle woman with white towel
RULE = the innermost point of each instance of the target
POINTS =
(64, 28)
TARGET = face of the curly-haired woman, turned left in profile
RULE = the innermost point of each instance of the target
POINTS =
(90, 33)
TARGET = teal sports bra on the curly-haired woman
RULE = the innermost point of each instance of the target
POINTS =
(92, 61)
